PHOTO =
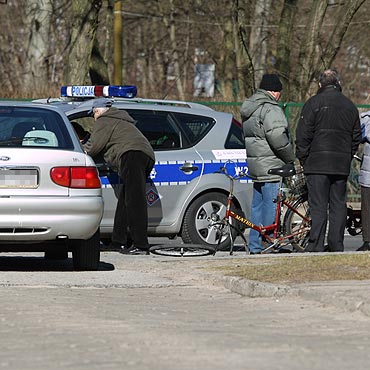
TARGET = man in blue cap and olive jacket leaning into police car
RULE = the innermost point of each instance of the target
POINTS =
(127, 151)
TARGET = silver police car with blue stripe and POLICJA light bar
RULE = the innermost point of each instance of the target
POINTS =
(185, 194)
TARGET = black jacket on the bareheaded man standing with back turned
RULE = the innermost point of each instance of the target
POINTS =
(328, 133)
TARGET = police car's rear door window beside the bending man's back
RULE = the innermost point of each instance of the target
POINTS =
(158, 127)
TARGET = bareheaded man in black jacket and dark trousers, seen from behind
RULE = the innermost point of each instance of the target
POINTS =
(327, 137)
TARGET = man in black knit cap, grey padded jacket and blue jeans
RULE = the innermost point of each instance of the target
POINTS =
(268, 145)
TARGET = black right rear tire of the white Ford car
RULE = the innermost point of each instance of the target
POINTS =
(86, 253)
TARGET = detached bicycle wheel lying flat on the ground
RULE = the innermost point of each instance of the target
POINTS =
(182, 250)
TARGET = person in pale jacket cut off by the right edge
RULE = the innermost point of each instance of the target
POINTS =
(364, 181)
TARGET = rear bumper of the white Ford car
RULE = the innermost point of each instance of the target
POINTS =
(46, 219)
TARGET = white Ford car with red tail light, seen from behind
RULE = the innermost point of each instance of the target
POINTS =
(50, 191)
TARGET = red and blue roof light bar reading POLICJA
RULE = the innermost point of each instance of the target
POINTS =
(125, 91)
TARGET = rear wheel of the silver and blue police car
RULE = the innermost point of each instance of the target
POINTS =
(202, 220)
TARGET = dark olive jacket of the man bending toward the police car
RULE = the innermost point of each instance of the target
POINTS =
(114, 133)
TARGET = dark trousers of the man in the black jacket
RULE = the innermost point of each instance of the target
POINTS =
(327, 195)
